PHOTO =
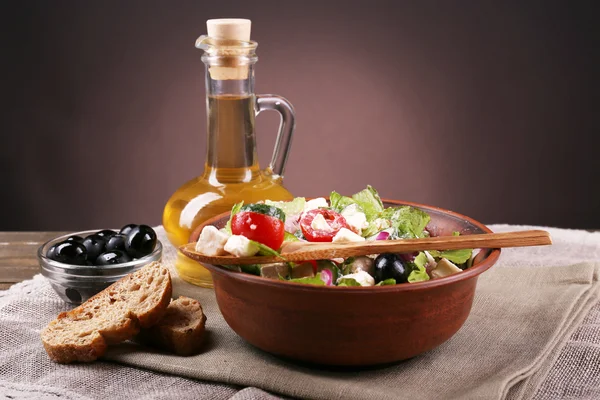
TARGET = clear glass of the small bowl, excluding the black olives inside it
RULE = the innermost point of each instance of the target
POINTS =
(77, 283)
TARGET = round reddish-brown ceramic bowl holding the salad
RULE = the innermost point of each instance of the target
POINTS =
(352, 326)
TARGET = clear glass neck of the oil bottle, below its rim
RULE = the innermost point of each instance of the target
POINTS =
(231, 110)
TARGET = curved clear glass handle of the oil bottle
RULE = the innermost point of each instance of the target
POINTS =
(265, 102)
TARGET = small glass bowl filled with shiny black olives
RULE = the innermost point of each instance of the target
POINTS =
(81, 264)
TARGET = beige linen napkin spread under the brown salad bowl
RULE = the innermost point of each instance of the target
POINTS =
(520, 319)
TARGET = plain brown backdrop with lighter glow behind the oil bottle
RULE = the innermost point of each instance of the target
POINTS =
(481, 107)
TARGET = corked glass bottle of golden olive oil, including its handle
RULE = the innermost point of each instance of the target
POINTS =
(231, 171)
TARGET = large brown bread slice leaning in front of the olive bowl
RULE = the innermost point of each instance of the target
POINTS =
(116, 314)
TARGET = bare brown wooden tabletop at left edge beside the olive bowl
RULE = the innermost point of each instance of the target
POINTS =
(18, 255)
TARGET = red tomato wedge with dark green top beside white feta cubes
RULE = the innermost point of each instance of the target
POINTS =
(261, 228)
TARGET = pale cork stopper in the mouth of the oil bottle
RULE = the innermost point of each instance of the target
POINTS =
(229, 29)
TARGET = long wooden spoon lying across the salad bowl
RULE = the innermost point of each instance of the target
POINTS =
(302, 251)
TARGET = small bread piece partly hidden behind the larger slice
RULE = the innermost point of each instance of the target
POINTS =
(180, 331)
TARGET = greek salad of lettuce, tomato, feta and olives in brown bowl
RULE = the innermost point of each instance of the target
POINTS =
(266, 228)
